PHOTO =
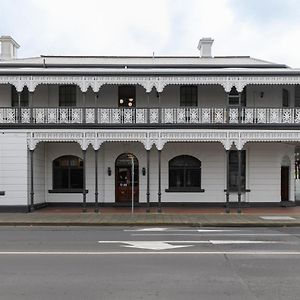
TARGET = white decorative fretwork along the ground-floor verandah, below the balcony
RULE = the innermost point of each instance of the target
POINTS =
(159, 138)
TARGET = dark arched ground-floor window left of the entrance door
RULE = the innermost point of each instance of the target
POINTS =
(67, 173)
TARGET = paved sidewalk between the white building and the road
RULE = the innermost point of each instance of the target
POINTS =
(171, 216)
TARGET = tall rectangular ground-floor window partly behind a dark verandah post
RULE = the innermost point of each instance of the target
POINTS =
(233, 170)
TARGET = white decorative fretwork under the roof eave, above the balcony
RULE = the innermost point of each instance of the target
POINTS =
(148, 82)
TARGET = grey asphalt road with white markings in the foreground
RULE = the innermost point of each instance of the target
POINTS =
(149, 263)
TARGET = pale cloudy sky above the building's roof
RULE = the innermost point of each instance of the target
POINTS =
(265, 29)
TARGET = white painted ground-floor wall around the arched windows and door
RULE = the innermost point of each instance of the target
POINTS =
(262, 174)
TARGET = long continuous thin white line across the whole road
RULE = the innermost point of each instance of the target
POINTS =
(252, 253)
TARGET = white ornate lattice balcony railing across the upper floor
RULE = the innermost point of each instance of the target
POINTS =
(149, 116)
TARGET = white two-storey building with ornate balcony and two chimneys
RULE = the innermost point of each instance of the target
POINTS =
(100, 130)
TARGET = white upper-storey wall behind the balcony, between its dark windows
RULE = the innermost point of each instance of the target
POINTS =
(208, 96)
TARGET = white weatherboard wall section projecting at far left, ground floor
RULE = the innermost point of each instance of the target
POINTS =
(13, 169)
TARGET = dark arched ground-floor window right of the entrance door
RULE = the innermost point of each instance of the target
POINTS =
(184, 173)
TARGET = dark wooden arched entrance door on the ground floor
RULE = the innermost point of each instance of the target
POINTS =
(124, 178)
